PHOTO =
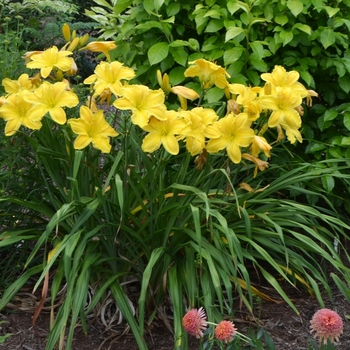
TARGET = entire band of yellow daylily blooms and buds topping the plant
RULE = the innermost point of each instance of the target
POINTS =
(251, 111)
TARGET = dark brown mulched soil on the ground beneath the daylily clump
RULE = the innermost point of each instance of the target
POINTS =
(287, 329)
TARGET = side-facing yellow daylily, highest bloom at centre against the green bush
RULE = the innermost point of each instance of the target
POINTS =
(208, 73)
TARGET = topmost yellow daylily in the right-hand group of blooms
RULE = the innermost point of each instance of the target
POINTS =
(281, 78)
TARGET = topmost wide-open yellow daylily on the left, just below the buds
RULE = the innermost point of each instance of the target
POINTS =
(49, 59)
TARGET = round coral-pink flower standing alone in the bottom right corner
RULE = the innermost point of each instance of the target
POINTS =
(327, 324)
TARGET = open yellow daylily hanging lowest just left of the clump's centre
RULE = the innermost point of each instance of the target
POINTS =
(163, 132)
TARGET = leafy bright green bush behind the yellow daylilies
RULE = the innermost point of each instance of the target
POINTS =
(247, 38)
